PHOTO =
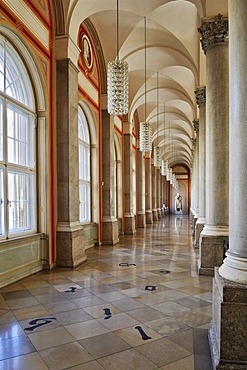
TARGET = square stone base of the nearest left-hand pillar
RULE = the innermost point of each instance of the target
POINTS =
(70, 248)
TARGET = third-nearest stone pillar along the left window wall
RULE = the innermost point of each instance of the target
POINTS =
(129, 218)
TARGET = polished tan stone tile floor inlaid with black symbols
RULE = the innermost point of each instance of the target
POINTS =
(137, 305)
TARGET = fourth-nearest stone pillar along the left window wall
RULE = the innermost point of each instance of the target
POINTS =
(140, 184)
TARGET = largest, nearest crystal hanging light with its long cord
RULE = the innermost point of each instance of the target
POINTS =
(117, 83)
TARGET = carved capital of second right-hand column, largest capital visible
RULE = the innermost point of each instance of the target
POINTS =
(213, 31)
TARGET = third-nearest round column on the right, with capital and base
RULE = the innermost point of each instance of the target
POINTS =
(201, 102)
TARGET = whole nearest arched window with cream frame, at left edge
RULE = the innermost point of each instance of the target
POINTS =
(17, 146)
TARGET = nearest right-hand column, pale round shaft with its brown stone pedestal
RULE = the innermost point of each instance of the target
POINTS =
(228, 328)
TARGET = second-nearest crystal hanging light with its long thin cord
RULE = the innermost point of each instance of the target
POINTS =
(146, 126)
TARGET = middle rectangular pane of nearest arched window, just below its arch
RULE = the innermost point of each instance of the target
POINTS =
(20, 137)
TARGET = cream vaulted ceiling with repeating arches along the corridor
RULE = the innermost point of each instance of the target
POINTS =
(175, 63)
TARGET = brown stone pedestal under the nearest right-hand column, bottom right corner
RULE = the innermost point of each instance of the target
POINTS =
(227, 333)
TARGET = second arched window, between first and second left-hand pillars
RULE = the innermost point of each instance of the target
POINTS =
(84, 167)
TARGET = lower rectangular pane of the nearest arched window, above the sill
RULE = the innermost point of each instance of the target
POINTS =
(21, 202)
